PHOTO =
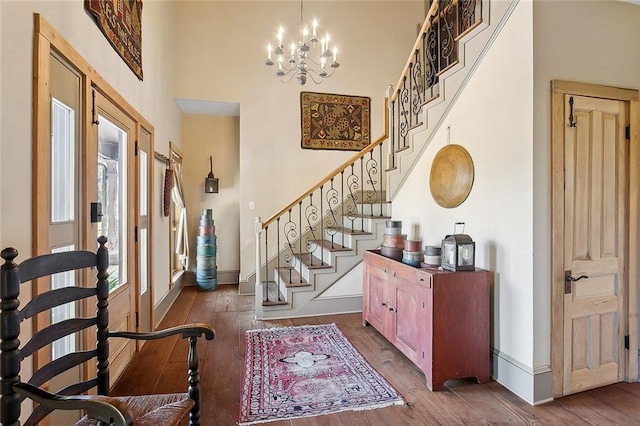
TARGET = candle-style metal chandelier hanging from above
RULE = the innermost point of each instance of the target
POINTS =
(298, 59)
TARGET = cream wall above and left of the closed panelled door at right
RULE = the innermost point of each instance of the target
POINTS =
(584, 41)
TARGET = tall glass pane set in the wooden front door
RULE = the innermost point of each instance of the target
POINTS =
(112, 195)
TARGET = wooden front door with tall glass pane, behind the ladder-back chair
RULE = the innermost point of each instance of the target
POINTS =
(112, 172)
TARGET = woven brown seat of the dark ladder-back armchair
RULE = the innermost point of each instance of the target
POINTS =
(152, 410)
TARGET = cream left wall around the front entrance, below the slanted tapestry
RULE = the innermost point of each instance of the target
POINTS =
(150, 97)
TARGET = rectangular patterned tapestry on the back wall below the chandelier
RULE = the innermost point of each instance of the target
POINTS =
(332, 121)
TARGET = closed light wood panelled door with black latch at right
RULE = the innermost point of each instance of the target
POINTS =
(596, 211)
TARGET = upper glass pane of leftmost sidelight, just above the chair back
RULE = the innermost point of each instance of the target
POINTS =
(62, 162)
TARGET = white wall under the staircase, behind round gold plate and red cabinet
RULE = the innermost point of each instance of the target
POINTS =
(492, 119)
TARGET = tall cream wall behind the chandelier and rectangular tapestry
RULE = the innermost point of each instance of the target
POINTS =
(221, 48)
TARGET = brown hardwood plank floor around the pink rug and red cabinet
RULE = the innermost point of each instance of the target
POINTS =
(161, 367)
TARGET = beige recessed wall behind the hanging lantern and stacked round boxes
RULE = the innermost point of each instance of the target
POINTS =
(218, 136)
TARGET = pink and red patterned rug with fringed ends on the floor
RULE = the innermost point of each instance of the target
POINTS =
(305, 371)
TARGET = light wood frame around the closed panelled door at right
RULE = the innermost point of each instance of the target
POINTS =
(559, 88)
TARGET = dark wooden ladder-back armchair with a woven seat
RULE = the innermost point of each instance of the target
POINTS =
(100, 409)
